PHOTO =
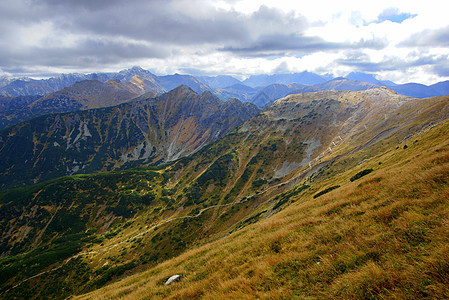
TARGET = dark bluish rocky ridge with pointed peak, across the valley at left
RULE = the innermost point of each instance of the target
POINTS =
(147, 130)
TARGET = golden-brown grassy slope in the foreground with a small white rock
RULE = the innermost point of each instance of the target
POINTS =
(385, 235)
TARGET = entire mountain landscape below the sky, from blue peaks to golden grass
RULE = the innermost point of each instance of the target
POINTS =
(278, 186)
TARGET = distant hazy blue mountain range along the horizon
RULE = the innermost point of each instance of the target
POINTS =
(222, 86)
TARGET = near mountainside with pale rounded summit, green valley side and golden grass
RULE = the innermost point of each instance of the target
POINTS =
(298, 155)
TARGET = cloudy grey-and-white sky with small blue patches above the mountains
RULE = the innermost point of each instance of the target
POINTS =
(401, 41)
